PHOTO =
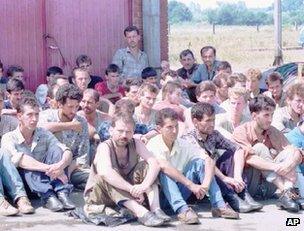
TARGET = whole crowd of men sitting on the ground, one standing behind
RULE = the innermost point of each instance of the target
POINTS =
(148, 144)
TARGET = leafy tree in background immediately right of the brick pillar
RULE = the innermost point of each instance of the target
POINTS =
(178, 12)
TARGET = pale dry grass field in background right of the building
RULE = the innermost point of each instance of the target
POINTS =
(235, 44)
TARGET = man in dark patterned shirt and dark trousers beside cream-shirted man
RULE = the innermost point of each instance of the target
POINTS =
(229, 165)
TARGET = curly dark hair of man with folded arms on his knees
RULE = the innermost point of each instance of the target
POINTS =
(68, 91)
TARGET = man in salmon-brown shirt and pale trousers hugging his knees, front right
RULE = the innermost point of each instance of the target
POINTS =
(269, 151)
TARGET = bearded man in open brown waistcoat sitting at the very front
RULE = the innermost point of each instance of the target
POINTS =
(119, 178)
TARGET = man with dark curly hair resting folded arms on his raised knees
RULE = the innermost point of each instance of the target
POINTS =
(70, 129)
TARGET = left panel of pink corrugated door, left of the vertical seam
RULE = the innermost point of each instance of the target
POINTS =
(21, 30)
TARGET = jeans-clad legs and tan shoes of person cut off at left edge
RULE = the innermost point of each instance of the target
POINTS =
(11, 181)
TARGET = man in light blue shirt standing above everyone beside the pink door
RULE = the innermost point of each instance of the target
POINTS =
(131, 60)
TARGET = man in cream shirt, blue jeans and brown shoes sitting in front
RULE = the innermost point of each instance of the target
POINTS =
(185, 170)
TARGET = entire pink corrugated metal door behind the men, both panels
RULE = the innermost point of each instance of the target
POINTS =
(92, 27)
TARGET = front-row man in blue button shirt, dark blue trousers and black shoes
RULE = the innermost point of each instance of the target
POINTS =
(42, 159)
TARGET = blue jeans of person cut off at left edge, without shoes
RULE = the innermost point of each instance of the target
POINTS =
(10, 178)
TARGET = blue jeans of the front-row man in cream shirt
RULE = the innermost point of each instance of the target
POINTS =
(177, 193)
